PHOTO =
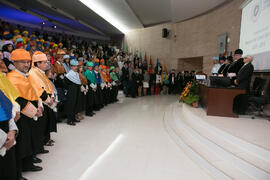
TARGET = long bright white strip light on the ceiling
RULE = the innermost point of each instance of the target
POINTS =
(98, 8)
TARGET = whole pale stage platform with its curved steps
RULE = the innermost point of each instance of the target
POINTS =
(227, 148)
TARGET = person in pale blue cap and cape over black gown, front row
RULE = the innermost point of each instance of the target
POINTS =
(73, 86)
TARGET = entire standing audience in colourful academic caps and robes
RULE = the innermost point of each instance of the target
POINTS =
(46, 78)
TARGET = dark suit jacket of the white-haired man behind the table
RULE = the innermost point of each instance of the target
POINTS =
(244, 76)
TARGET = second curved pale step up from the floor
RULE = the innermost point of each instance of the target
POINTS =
(251, 153)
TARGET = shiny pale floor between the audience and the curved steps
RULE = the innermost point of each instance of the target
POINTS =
(124, 141)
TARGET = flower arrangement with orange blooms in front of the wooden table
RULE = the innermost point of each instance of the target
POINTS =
(190, 93)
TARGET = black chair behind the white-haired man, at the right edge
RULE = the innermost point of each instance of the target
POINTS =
(257, 100)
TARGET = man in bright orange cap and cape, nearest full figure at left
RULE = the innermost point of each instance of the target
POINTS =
(31, 109)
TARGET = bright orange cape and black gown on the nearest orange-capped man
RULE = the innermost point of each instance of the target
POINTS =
(27, 139)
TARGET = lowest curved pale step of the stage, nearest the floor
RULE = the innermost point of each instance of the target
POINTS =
(231, 165)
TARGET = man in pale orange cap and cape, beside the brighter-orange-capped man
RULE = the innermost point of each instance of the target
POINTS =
(44, 89)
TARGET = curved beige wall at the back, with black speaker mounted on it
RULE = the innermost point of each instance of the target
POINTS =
(194, 38)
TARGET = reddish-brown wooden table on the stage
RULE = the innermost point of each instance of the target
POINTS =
(218, 101)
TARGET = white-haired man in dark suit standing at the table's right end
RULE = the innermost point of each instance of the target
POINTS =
(242, 81)
